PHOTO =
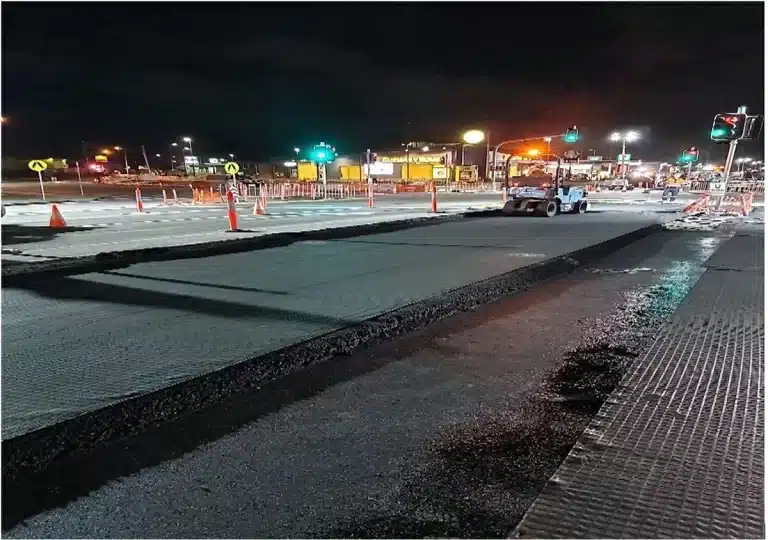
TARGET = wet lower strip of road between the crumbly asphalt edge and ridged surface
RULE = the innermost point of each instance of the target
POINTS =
(451, 431)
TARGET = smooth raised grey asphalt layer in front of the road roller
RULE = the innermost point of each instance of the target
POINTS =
(80, 343)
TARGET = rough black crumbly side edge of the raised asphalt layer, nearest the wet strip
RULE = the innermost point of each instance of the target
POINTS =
(33, 452)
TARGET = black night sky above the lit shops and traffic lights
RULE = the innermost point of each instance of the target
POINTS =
(257, 79)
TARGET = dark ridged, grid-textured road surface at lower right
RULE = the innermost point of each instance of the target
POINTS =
(677, 450)
